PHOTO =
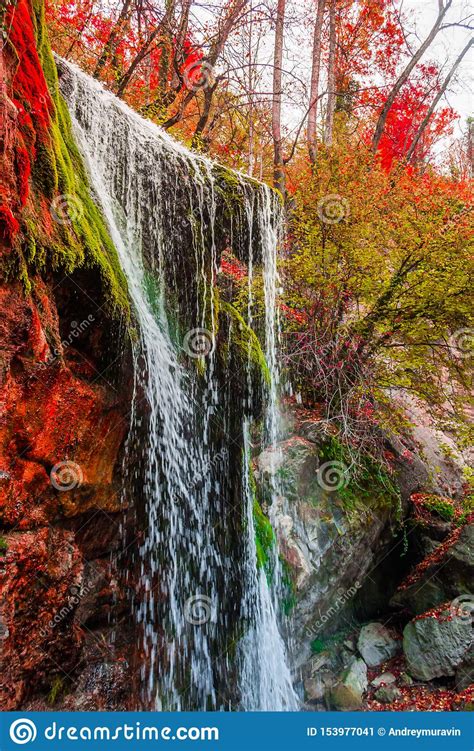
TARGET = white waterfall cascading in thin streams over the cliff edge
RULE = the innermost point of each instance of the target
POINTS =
(209, 626)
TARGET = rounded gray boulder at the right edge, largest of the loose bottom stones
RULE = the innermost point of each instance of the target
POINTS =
(437, 646)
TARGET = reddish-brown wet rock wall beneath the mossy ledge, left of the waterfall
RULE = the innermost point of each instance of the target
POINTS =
(60, 445)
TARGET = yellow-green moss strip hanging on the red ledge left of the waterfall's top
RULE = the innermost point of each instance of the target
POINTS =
(81, 238)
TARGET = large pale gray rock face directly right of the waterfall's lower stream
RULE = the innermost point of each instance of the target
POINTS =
(329, 549)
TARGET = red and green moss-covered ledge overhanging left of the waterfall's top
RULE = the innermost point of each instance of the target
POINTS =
(56, 226)
